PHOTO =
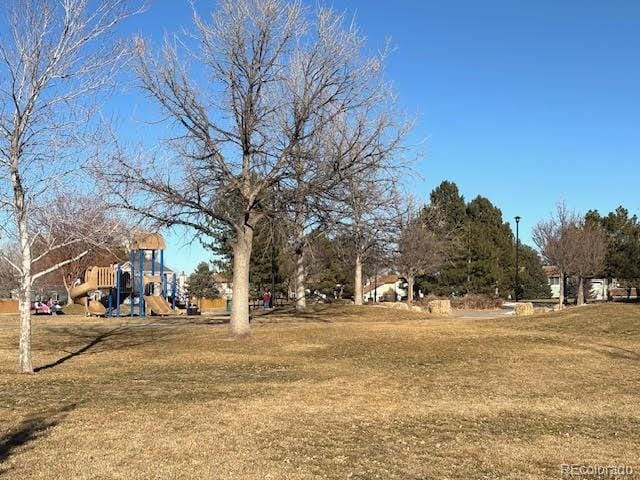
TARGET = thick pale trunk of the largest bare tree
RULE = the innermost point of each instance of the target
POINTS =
(240, 297)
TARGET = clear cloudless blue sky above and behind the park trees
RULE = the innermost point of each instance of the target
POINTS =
(526, 103)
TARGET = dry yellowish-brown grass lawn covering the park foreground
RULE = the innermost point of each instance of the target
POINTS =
(342, 392)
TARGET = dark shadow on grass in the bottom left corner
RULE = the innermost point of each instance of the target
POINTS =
(29, 430)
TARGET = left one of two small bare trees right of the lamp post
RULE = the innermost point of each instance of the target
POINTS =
(554, 239)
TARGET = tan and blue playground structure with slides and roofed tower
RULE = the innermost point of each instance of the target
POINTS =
(146, 291)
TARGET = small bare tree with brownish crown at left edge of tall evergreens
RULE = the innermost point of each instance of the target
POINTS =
(422, 247)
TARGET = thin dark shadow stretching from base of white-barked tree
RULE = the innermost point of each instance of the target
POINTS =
(123, 336)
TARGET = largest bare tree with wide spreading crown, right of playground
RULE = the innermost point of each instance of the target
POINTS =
(274, 78)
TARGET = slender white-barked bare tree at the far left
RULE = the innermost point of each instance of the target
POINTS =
(55, 56)
